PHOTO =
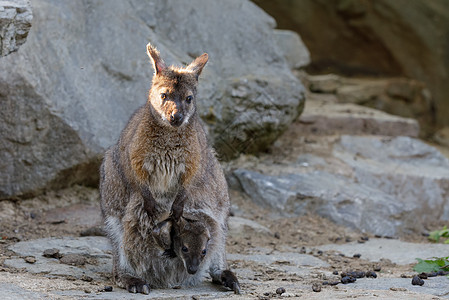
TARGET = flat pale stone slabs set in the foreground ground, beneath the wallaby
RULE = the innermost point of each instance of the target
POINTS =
(293, 266)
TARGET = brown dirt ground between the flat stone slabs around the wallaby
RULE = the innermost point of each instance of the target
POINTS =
(71, 211)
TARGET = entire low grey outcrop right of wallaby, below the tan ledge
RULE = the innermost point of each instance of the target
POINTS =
(377, 184)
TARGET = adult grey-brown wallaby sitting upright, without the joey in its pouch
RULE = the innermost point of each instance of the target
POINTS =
(161, 161)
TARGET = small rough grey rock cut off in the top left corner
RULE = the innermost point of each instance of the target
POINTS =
(15, 23)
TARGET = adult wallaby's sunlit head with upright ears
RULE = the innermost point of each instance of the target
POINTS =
(173, 92)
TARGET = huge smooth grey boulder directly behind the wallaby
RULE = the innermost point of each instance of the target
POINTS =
(65, 97)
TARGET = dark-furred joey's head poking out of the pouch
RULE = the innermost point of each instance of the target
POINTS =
(190, 242)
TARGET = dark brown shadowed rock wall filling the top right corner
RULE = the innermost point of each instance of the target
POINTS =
(374, 37)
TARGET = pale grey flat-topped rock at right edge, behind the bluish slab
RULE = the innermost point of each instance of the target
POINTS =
(415, 174)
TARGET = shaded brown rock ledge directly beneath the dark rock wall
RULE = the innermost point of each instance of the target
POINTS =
(397, 96)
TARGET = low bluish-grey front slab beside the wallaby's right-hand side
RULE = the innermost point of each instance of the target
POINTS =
(337, 198)
